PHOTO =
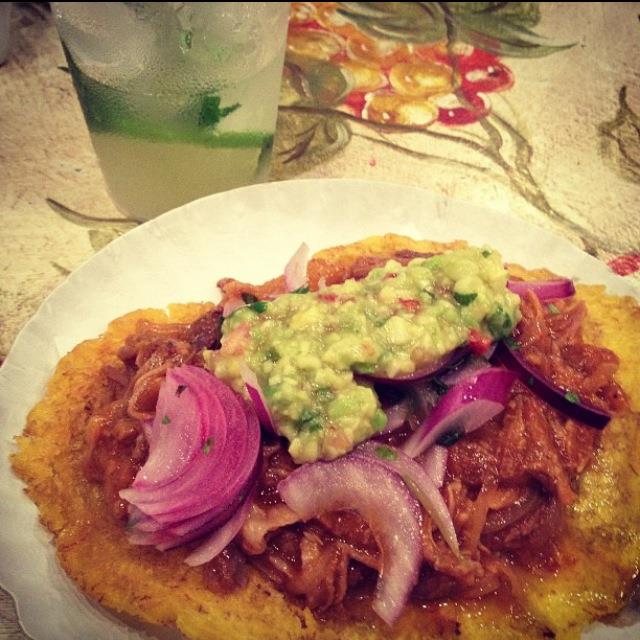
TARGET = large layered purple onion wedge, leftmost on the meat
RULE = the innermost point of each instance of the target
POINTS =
(203, 461)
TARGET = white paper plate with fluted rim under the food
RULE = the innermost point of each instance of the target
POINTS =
(248, 233)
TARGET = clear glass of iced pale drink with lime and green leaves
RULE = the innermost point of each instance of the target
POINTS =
(180, 98)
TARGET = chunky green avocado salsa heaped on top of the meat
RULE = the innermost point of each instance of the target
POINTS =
(304, 348)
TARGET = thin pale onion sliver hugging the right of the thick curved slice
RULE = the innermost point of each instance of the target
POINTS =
(420, 484)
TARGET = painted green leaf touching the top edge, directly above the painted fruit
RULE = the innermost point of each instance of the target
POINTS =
(406, 21)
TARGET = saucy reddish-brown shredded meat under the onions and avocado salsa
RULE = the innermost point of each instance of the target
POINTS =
(506, 484)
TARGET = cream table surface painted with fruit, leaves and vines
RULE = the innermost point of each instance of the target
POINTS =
(532, 108)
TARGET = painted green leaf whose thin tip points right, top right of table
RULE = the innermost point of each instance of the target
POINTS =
(498, 35)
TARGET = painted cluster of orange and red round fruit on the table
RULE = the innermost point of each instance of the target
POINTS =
(395, 82)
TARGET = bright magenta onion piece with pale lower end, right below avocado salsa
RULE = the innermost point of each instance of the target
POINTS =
(465, 407)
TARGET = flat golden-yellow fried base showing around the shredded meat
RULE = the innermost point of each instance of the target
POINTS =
(603, 531)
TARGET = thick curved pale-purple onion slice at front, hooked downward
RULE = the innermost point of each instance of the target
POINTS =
(382, 499)
